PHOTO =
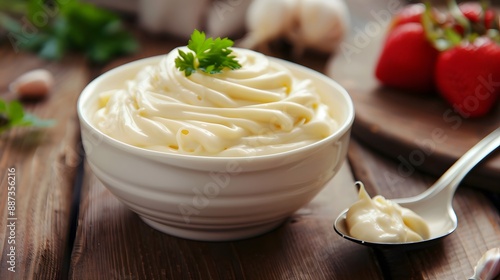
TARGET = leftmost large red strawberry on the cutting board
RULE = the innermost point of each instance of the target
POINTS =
(407, 60)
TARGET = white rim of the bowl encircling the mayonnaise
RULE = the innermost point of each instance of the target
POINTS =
(88, 91)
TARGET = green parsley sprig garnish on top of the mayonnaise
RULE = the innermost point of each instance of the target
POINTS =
(208, 55)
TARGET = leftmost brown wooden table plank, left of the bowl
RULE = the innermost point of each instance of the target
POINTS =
(45, 162)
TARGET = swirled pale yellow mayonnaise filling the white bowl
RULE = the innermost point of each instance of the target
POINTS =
(256, 110)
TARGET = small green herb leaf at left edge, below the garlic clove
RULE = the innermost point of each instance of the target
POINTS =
(12, 115)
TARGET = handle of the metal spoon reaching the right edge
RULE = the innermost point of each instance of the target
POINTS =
(454, 175)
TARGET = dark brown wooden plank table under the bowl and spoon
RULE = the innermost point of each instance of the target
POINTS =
(66, 225)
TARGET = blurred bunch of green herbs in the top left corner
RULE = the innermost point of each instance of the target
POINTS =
(51, 30)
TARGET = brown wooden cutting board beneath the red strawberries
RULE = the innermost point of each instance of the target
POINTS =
(420, 132)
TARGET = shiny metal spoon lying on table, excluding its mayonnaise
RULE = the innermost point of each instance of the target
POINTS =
(435, 204)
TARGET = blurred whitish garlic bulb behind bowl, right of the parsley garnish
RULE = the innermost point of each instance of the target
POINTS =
(319, 25)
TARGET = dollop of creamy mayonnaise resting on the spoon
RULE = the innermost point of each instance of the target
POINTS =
(383, 221)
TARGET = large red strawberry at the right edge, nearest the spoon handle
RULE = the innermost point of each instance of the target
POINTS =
(468, 76)
